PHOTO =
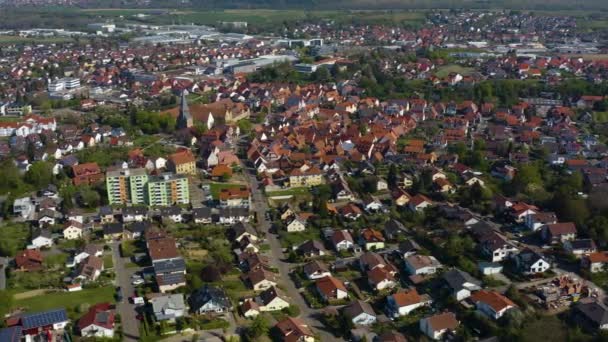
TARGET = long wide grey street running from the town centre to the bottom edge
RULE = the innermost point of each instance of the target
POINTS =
(310, 316)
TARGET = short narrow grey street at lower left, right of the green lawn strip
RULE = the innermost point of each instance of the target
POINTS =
(130, 324)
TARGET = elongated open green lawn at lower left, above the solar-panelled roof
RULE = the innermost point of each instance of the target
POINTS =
(67, 300)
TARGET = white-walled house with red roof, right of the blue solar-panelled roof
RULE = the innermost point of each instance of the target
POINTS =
(98, 322)
